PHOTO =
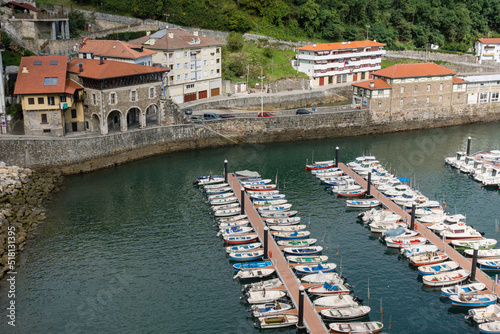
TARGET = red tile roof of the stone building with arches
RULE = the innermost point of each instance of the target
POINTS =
(109, 69)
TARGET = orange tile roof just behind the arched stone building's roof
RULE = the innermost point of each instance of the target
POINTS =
(115, 49)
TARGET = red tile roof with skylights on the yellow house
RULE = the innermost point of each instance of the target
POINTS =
(32, 82)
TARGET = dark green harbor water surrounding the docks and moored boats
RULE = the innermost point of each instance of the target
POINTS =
(133, 249)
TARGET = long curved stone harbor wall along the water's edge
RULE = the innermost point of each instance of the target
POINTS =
(84, 154)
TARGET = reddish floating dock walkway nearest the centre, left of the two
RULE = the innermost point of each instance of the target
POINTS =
(312, 319)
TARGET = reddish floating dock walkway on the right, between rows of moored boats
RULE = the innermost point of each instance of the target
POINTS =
(465, 263)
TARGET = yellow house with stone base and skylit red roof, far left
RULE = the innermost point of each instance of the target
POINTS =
(52, 104)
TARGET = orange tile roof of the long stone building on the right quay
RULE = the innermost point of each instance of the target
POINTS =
(413, 70)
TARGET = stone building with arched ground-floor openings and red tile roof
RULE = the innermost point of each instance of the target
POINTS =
(120, 96)
